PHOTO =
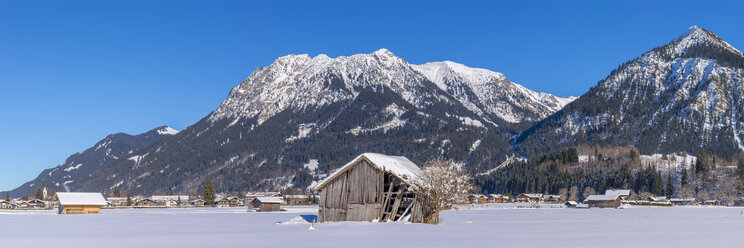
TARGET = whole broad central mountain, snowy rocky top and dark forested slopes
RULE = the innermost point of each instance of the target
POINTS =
(301, 108)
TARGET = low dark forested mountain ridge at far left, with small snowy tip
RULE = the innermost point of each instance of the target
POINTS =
(80, 165)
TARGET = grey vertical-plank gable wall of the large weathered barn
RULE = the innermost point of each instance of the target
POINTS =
(354, 195)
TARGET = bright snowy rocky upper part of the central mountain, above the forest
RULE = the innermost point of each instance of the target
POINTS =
(300, 82)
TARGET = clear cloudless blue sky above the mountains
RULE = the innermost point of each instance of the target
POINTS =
(72, 72)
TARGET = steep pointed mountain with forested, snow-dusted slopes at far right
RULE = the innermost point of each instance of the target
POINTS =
(685, 96)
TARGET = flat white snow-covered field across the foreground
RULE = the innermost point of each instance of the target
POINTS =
(488, 226)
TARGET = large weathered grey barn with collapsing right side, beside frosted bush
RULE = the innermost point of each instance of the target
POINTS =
(371, 187)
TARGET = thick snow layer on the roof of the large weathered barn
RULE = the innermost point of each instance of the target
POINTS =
(399, 166)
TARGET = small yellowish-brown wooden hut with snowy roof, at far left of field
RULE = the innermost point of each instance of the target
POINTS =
(80, 203)
